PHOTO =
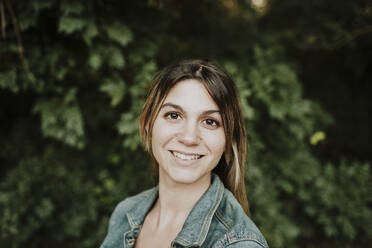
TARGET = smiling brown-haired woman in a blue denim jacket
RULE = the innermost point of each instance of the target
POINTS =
(193, 128)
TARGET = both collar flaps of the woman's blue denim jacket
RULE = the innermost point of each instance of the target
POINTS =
(196, 226)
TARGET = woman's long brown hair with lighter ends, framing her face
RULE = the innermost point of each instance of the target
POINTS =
(222, 89)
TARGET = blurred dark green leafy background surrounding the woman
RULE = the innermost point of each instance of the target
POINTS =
(73, 77)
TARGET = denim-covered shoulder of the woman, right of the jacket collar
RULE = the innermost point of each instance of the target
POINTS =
(237, 229)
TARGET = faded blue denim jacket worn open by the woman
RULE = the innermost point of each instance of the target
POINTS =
(217, 221)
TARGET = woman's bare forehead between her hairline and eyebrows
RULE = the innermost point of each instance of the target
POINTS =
(191, 94)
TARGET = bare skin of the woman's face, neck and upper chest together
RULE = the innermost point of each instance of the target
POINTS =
(188, 141)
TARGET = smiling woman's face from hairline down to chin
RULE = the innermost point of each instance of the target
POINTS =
(188, 138)
